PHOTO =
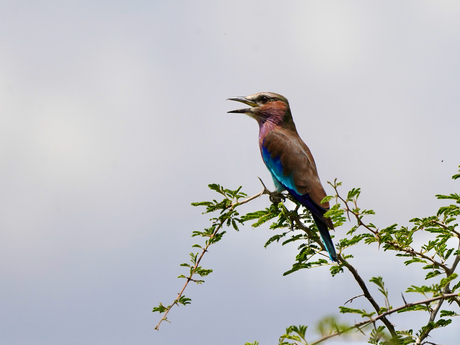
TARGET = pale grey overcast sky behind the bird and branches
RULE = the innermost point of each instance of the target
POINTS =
(113, 120)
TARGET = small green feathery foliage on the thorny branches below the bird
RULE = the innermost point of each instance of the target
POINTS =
(433, 242)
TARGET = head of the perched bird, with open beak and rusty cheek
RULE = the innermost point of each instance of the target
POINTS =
(265, 106)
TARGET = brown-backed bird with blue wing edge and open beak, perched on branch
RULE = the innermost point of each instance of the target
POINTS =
(288, 158)
